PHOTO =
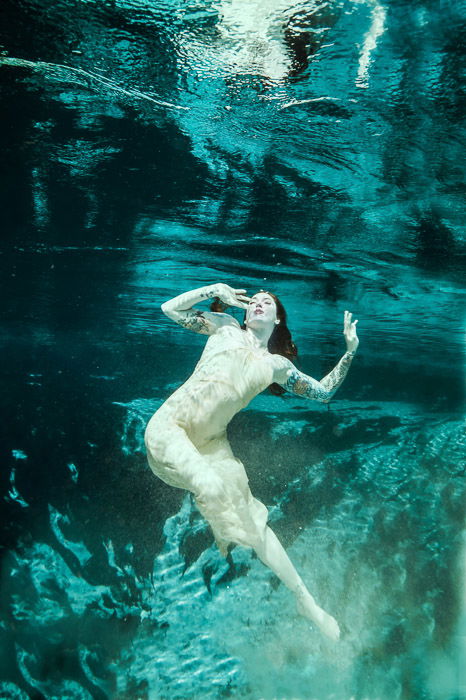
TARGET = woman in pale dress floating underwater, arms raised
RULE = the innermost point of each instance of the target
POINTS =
(186, 438)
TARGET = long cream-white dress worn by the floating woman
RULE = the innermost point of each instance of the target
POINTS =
(187, 442)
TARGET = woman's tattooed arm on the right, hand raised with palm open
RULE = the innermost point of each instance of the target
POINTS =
(301, 384)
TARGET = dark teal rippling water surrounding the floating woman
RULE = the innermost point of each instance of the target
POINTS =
(316, 150)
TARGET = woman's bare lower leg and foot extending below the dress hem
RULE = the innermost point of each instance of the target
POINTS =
(272, 554)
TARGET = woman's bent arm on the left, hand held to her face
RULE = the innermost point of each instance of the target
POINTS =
(180, 309)
